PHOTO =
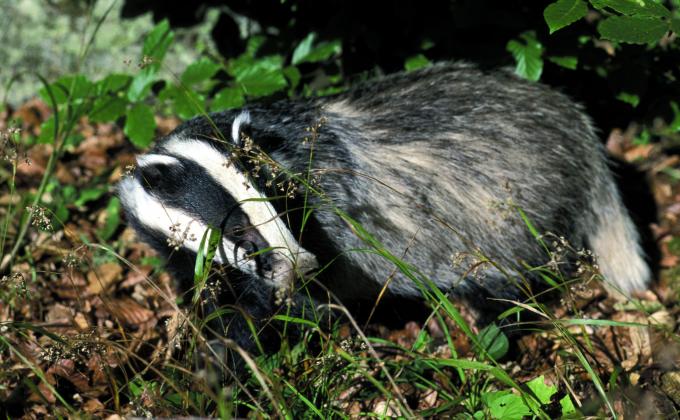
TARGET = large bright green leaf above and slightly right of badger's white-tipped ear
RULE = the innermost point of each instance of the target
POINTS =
(263, 77)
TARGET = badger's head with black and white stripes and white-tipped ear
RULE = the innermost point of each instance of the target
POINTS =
(187, 184)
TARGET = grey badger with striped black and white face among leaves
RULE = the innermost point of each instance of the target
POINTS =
(422, 164)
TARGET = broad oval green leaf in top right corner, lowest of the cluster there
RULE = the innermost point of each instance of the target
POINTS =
(632, 29)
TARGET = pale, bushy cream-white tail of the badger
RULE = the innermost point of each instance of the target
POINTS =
(616, 242)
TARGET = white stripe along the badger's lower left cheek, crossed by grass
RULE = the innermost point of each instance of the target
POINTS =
(159, 218)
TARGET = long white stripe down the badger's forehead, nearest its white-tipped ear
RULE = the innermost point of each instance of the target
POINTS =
(261, 213)
